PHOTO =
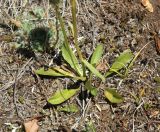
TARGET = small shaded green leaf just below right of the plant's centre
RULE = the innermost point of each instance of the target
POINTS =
(91, 89)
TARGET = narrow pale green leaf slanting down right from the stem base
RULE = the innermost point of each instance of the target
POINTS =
(93, 70)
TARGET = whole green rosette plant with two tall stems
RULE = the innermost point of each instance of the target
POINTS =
(79, 68)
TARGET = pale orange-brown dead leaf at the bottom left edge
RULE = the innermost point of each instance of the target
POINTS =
(31, 126)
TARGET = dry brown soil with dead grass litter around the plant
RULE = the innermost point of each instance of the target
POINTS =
(118, 25)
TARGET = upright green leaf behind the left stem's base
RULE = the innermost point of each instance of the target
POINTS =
(69, 56)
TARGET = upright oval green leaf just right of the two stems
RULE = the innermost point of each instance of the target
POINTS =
(97, 54)
